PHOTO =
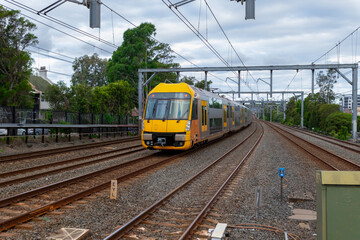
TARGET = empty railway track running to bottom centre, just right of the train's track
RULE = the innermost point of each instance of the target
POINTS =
(168, 219)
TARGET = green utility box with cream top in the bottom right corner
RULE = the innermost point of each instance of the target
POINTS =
(338, 205)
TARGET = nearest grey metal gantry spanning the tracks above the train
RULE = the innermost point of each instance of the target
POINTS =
(271, 68)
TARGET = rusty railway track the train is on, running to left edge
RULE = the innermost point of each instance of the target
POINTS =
(23, 207)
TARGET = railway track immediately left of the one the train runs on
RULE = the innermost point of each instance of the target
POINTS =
(102, 157)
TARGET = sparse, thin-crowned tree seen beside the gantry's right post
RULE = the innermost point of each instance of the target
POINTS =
(326, 84)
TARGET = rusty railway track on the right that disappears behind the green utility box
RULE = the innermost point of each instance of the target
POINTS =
(331, 160)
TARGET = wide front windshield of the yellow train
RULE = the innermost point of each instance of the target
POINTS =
(173, 106)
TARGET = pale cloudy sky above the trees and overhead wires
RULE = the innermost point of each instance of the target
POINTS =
(283, 33)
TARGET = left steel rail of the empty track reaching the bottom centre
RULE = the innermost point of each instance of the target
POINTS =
(117, 234)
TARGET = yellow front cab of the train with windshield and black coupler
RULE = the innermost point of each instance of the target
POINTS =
(167, 117)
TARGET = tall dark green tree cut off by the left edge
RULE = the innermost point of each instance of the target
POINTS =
(15, 62)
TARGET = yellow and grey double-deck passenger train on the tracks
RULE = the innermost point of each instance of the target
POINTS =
(179, 116)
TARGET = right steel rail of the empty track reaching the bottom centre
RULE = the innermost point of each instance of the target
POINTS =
(203, 212)
